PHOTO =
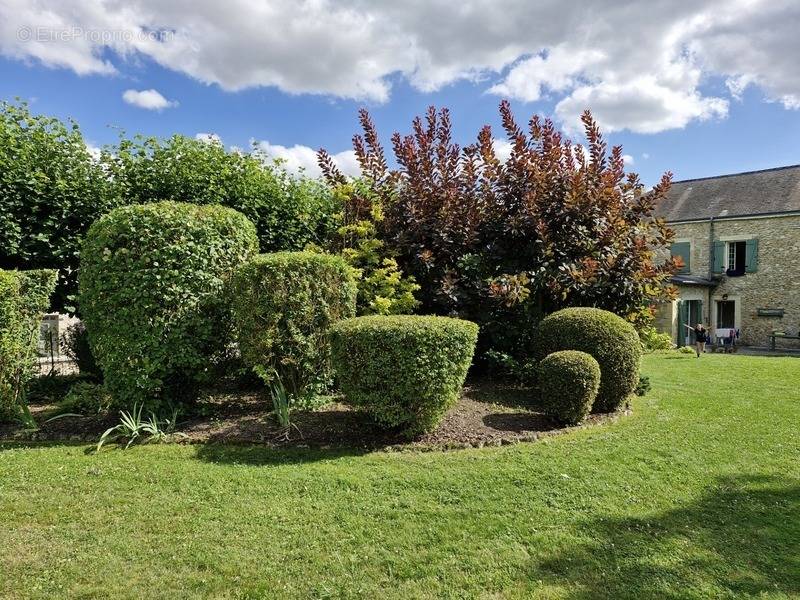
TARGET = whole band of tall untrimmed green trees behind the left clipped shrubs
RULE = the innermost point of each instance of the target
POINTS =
(45, 162)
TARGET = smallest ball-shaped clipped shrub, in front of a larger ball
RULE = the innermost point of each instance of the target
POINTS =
(568, 383)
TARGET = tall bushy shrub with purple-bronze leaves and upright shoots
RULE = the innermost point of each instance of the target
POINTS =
(504, 242)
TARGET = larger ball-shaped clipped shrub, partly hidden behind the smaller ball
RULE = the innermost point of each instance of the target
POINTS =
(611, 340)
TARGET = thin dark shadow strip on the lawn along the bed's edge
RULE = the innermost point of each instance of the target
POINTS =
(264, 455)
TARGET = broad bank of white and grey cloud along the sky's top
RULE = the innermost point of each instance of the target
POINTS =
(639, 65)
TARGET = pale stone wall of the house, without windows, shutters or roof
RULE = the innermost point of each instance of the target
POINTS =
(774, 285)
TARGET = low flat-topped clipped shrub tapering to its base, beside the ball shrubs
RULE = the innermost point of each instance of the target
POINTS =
(405, 371)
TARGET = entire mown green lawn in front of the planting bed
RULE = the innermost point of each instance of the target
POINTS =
(696, 495)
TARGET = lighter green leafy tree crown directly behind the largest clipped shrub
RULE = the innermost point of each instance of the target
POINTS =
(289, 212)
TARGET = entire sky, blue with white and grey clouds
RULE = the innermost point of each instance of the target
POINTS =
(698, 87)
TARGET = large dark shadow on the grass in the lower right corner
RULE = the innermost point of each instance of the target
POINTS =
(742, 537)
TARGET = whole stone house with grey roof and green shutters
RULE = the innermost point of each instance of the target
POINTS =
(739, 238)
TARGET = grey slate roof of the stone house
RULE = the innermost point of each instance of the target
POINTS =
(771, 191)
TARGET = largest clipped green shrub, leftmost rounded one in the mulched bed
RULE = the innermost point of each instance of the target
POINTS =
(153, 287)
